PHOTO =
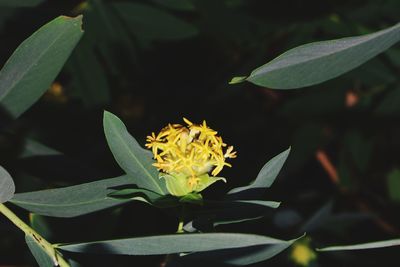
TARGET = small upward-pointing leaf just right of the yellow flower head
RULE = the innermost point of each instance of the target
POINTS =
(266, 176)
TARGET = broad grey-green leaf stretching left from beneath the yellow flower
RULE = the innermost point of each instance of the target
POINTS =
(73, 200)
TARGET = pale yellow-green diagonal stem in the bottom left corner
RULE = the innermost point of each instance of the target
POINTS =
(46, 246)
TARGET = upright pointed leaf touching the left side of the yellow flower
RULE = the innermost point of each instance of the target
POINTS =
(131, 157)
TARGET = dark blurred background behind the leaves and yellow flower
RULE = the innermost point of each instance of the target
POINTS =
(153, 62)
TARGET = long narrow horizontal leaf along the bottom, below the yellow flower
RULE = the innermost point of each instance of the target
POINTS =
(169, 244)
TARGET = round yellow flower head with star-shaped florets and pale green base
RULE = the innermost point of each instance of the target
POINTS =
(186, 154)
